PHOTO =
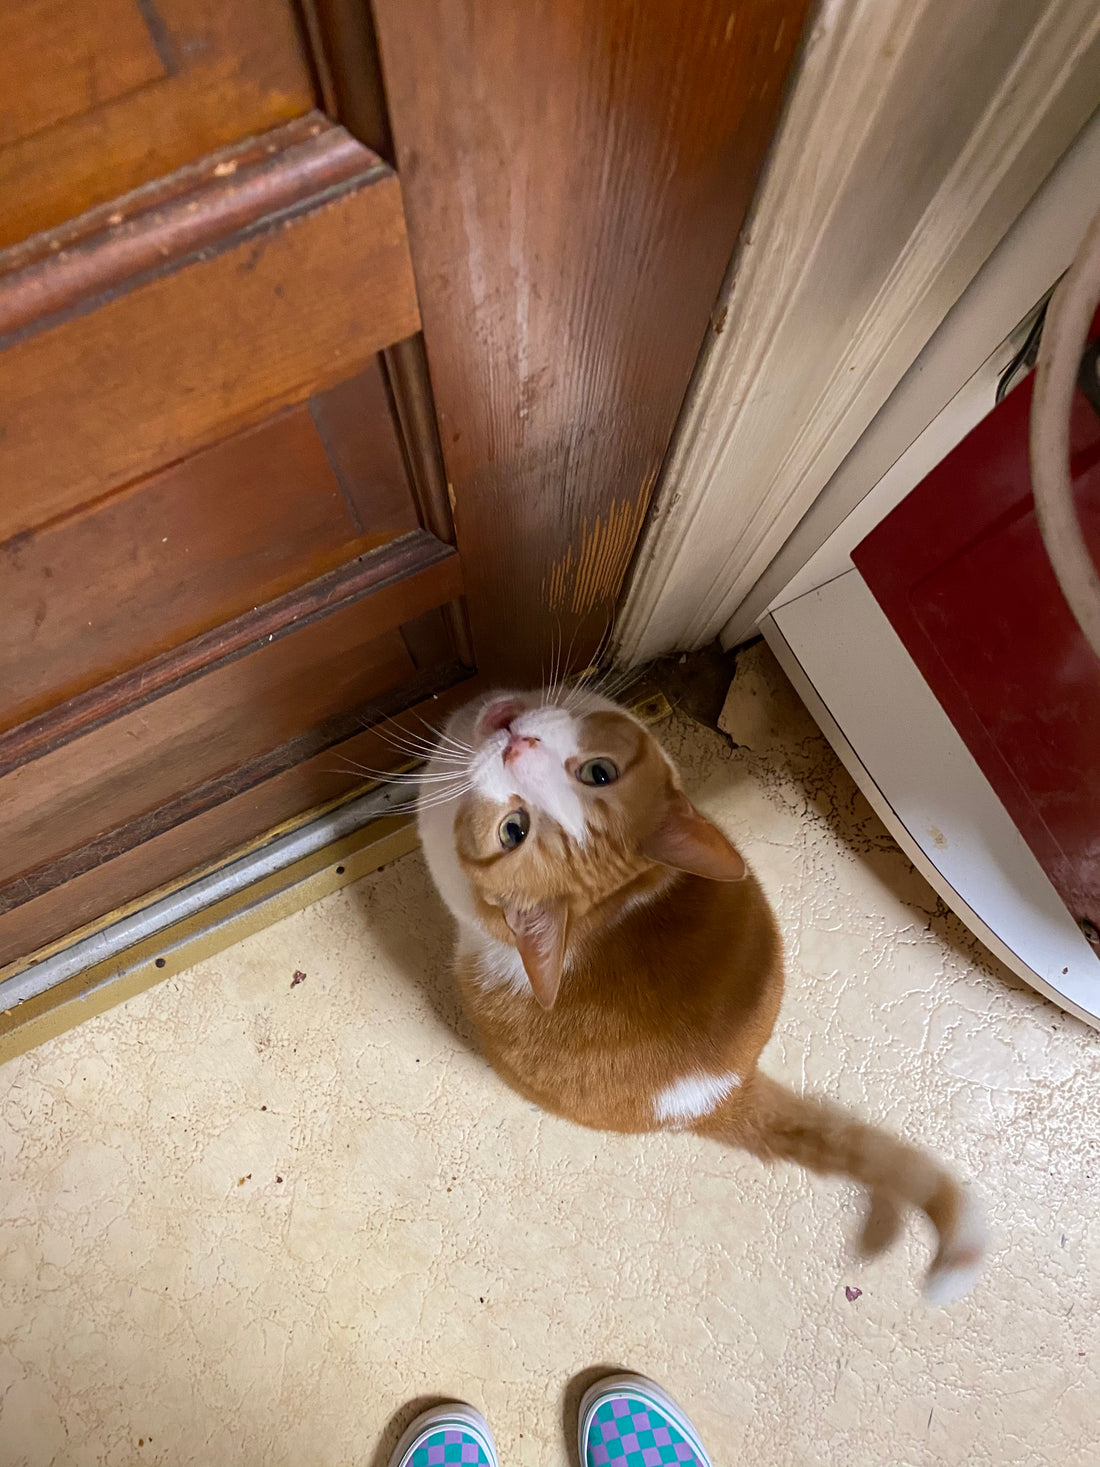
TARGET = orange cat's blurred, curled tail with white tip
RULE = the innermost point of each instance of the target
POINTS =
(777, 1124)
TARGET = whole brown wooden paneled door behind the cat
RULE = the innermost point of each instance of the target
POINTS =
(228, 486)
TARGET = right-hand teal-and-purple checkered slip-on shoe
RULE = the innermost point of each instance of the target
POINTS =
(630, 1422)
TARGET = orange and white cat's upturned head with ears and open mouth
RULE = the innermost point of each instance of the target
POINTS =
(555, 811)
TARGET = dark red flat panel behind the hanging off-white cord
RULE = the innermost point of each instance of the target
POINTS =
(961, 571)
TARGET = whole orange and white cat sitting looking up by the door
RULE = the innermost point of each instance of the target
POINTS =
(623, 966)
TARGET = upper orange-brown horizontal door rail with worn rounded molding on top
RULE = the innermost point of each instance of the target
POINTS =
(297, 299)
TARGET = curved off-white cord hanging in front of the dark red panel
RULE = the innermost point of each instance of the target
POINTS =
(1066, 335)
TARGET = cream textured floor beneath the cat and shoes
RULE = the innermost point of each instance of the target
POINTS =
(247, 1223)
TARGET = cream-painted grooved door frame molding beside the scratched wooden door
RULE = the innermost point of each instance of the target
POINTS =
(916, 134)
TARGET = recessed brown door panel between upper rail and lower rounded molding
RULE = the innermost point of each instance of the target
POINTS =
(134, 574)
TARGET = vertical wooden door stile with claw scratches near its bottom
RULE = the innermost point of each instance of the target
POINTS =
(574, 180)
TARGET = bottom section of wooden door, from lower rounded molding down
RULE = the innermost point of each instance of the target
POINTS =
(222, 714)
